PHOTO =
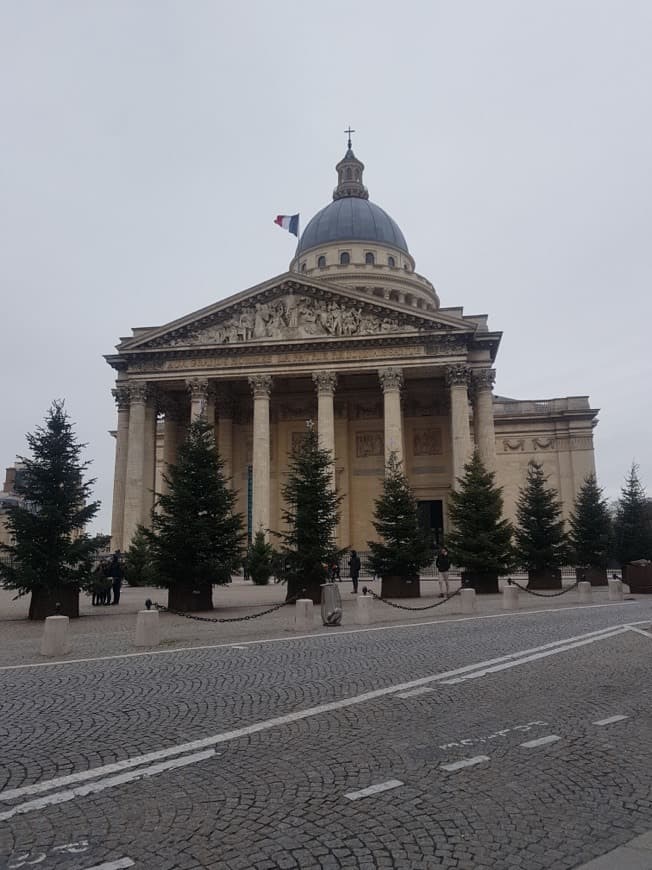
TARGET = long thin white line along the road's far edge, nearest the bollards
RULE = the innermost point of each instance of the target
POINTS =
(319, 635)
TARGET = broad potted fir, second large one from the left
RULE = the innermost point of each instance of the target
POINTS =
(196, 537)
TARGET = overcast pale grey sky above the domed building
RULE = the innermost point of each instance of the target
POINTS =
(145, 147)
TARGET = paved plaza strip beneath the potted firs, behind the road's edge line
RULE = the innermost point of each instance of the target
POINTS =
(109, 630)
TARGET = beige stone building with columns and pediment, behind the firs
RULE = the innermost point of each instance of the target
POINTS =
(359, 345)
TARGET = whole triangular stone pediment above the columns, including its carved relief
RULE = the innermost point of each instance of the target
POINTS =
(289, 308)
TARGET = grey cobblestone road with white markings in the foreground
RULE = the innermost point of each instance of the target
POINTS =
(470, 744)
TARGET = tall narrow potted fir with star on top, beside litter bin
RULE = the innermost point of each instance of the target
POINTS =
(310, 514)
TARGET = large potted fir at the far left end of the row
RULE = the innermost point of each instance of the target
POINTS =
(52, 557)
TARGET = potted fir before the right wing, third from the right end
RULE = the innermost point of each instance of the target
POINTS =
(540, 538)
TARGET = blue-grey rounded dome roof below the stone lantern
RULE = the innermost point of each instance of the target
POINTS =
(352, 218)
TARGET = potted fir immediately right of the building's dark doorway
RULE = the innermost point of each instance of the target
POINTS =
(480, 539)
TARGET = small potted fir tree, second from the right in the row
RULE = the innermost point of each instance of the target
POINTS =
(590, 526)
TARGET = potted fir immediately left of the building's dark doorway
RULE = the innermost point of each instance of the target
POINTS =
(404, 547)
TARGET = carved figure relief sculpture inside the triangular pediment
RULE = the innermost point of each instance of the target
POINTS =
(293, 316)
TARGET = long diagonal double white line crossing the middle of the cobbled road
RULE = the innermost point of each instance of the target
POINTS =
(257, 727)
